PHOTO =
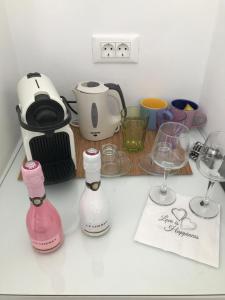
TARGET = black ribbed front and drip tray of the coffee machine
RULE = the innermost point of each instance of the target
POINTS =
(53, 150)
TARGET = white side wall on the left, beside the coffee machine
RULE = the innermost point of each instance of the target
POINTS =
(9, 130)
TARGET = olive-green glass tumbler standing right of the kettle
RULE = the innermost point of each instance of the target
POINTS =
(134, 125)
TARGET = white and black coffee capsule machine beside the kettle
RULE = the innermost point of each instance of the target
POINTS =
(44, 119)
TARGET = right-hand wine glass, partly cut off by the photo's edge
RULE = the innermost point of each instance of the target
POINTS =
(211, 164)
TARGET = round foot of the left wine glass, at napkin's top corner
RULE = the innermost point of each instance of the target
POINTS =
(160, 198)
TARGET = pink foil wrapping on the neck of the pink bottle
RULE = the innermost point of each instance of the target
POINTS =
(33, 178)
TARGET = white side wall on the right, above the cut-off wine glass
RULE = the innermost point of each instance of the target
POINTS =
(213, 93)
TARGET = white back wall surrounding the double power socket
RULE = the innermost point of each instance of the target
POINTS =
(54, 37)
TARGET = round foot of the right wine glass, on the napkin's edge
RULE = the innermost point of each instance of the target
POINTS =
(207, 211)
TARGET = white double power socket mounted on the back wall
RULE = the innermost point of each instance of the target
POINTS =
(115, 48)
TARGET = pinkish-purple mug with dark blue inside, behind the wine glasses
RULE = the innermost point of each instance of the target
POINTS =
(194, 116)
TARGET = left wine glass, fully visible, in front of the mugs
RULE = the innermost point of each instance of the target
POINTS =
(170, 152)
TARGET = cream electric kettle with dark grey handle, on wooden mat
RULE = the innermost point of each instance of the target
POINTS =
(97, 120)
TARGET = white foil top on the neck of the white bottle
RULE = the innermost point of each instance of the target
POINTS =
(92, 159)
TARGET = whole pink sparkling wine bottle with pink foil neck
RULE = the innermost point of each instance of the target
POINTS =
(43, 221)
